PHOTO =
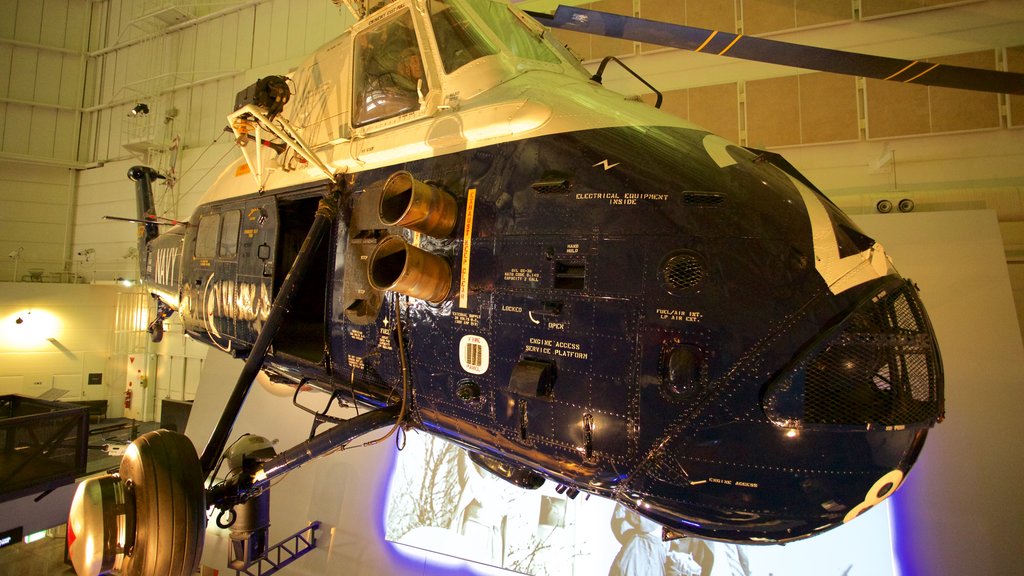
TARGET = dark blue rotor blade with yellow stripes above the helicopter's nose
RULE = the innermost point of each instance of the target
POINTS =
(774, 52)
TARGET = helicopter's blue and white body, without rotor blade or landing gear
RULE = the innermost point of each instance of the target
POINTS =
(603, 294)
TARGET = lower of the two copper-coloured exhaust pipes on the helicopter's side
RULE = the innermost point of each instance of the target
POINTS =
(396, 266)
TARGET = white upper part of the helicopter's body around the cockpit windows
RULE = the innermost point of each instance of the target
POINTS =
(494, 98)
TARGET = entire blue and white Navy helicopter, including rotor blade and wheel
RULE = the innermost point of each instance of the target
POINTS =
(442, 216)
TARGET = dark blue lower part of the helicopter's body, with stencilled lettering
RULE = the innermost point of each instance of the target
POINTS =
(634, 312)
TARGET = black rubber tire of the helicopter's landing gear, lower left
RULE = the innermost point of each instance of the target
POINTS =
(170, 506)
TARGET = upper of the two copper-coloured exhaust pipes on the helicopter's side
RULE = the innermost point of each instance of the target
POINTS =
(418, 207)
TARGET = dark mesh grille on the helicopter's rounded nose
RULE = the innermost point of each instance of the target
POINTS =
(883, 368)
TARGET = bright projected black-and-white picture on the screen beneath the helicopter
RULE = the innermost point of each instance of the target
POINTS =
(442, 502)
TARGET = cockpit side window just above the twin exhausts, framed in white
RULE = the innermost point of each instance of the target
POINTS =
(390, 79)
